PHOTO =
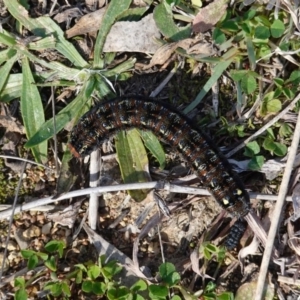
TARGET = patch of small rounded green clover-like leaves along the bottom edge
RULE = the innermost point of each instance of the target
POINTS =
(98, 278)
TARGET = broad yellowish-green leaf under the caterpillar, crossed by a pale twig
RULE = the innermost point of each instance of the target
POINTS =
(133, 160)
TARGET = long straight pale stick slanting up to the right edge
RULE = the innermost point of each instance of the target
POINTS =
(277, 211)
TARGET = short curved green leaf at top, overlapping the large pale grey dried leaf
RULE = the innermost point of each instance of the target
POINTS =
(163, 17)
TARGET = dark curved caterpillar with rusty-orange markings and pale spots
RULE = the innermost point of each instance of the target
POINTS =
(172, 127)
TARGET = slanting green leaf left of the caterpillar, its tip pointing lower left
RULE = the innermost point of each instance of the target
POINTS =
(75, 108)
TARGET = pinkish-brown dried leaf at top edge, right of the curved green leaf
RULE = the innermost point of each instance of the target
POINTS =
(209, 16)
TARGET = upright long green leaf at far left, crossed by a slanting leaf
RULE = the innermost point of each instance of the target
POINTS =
(32, 111)
